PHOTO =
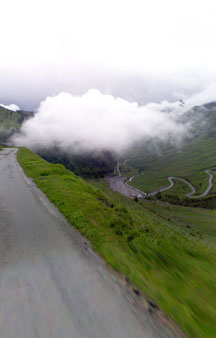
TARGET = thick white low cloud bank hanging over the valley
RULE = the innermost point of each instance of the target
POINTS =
(95, 122)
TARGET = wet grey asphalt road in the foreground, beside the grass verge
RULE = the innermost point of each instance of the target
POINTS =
(52, 284)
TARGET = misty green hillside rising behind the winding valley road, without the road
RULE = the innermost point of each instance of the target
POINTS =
(188, 162)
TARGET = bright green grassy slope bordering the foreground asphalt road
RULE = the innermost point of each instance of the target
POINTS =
(173, 268)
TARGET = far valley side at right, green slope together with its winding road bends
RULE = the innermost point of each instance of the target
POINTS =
(192, 166)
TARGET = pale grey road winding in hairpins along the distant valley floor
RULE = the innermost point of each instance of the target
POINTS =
(120, 184)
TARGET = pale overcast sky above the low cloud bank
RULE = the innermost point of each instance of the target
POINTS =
(139, 50)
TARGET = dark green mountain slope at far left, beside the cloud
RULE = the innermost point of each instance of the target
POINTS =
(10, 121)
